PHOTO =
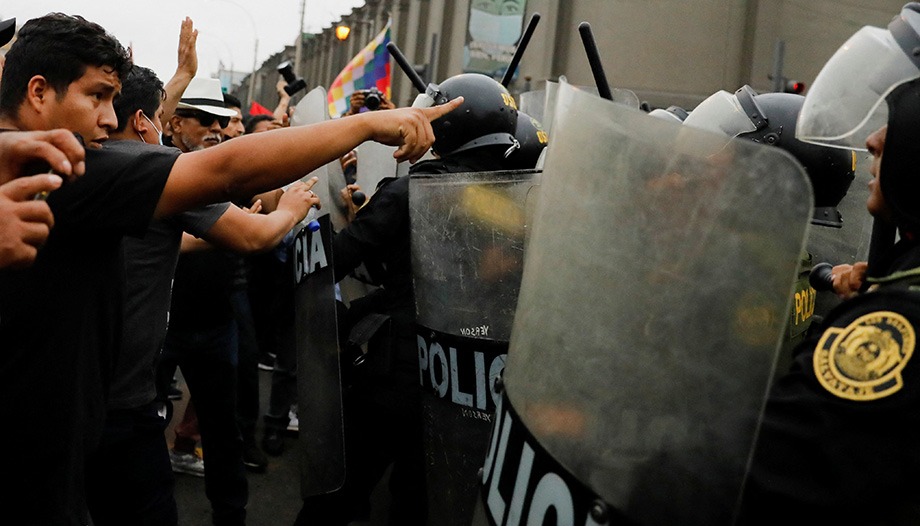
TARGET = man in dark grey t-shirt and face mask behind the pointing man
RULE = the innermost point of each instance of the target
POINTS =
(130, 478)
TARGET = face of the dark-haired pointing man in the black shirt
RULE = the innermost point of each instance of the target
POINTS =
(86, 107)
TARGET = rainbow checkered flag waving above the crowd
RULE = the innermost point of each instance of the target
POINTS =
(370, 68)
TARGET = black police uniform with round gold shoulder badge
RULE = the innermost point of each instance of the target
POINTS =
(840, 436)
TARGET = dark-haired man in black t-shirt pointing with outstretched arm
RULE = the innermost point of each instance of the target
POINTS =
(60, 319)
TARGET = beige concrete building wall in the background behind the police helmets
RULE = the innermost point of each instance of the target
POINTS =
(667, 51)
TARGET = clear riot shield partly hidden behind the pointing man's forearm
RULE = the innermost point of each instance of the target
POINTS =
(312, 109)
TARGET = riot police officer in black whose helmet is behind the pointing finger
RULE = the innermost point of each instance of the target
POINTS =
(382, 411)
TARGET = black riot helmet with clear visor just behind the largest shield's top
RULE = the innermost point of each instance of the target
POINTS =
(770, 119)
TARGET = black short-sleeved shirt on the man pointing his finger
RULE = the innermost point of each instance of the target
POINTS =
(60, 323)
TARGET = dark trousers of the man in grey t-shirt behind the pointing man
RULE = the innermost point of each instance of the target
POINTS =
(129, 479)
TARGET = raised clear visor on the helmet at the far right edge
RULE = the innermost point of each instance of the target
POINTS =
(844, 106)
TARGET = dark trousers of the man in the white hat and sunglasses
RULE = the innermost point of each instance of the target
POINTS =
(208, 359)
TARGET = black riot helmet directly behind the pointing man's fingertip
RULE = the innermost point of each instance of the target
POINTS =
(487, 117)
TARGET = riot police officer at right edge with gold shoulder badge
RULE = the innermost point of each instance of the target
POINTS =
(838, 441)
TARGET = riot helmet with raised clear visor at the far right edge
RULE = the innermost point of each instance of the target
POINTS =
(844, 106)
